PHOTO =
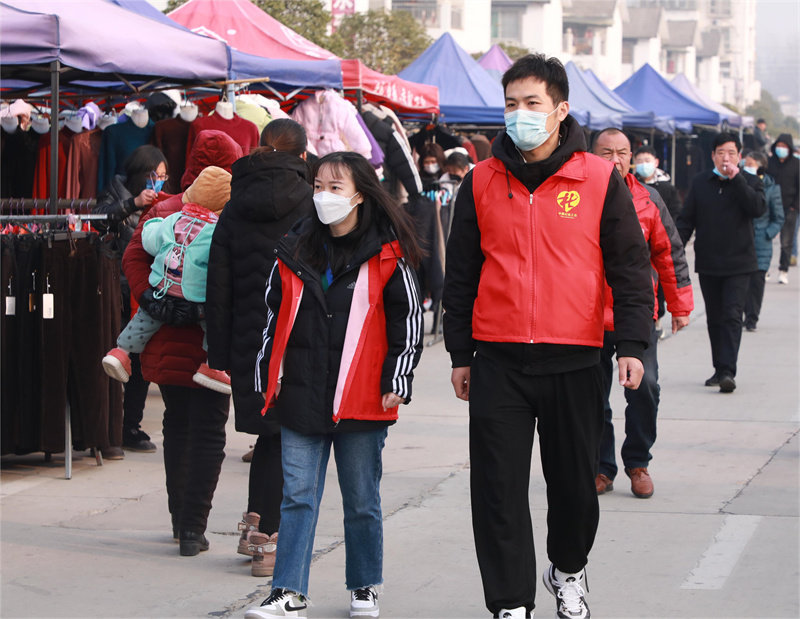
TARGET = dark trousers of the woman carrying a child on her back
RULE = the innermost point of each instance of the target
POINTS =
(194, 448)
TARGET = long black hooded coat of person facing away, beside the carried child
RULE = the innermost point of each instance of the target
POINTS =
(269, 193)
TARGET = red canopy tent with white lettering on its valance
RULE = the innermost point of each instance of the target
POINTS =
(245, 27)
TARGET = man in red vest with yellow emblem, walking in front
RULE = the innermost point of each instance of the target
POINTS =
(535, 229)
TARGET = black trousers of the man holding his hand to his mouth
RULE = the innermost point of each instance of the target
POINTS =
(724, 297)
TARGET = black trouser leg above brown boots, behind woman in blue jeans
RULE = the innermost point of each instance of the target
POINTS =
(266, 483)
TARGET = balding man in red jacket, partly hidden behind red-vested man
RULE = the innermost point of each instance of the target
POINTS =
(669, 261)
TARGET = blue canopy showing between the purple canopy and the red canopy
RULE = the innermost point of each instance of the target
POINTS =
(283, 74)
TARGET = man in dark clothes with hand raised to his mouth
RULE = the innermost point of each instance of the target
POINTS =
(719, 209)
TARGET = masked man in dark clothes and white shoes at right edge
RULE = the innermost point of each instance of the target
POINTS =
(784, 167)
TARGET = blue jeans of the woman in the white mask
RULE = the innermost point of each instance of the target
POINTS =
(359, 467)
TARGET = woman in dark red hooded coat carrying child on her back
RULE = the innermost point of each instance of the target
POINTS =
(195, 417)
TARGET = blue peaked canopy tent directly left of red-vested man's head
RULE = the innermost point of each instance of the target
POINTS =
(467, 93)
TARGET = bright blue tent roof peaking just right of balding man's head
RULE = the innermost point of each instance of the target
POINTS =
(647, 90)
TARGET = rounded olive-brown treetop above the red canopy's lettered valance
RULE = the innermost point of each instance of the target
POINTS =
(384, 41)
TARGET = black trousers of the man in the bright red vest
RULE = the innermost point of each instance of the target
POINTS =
(504, 406)
